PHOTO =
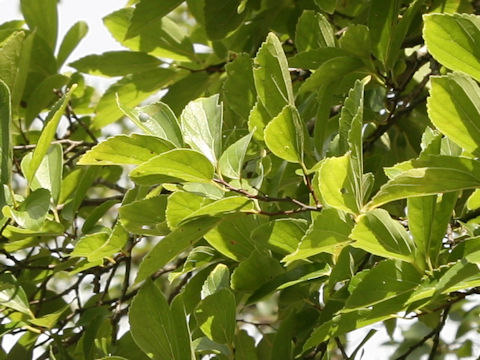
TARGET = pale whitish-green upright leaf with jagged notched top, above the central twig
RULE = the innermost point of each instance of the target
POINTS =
(201, 124)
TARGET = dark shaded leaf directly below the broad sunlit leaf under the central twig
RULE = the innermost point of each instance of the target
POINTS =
(255, 271)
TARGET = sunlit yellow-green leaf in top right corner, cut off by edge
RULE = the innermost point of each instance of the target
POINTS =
(462, 34)
